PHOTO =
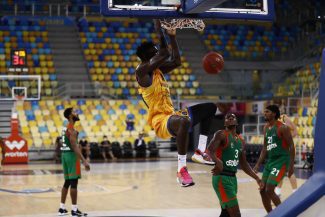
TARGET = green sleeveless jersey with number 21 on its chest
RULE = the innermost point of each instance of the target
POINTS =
(275, 145)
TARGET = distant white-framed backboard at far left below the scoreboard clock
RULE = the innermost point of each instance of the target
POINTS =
(27, 87)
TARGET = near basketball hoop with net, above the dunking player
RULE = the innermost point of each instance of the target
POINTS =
(184, 23)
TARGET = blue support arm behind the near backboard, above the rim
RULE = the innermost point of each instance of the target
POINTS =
(199, 6)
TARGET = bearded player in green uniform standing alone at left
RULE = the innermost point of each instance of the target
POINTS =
(71, 156)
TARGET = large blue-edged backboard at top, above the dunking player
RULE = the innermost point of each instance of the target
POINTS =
(221, 9)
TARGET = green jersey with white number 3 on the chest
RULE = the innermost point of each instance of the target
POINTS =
(229, 153)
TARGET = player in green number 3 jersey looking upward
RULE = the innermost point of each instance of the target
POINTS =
(227, 150)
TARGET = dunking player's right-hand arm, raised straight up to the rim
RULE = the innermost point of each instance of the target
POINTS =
(175, 60)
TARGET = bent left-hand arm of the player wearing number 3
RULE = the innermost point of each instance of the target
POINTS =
(217, 140)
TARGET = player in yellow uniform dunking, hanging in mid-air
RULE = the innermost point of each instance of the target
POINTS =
(154, 89)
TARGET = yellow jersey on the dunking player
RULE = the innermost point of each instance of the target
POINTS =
(157, 96)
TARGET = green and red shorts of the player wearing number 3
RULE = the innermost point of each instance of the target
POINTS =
(226, 189)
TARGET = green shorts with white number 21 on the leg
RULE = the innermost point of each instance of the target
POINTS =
(275, 170)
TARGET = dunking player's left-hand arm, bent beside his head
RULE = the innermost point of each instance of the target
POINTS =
(145, 68)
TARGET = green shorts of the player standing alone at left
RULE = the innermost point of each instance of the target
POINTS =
(71, 165)
